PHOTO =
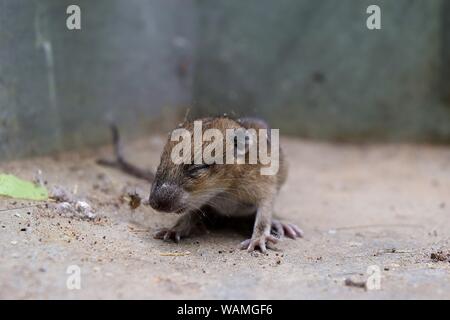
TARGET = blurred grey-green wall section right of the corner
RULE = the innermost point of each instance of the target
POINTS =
(315, 70)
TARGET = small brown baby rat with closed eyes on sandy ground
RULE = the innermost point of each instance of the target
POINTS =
(199, 190)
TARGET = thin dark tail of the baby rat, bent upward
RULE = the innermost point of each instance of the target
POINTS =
(120, 162)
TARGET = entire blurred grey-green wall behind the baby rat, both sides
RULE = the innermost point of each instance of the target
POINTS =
(312, 68)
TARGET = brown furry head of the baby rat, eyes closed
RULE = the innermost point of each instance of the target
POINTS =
(185, 186)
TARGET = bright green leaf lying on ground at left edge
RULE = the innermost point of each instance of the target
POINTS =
(13, 187)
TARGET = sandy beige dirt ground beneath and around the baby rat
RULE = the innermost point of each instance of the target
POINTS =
(382, 205)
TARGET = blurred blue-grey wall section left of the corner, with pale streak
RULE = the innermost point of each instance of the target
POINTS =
(131, 63)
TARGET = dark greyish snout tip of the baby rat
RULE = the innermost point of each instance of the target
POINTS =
(165, 197)
